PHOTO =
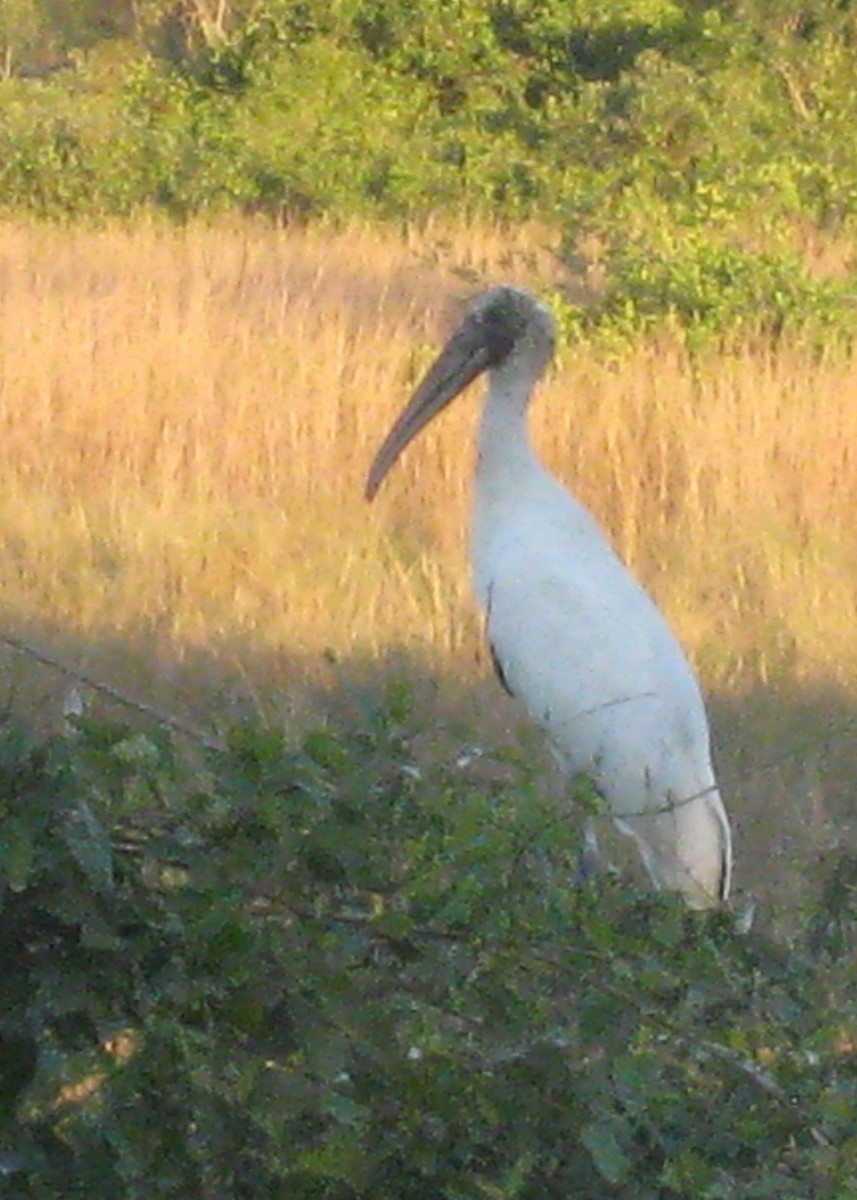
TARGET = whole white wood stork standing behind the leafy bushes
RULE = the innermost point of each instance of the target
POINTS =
(572, 634)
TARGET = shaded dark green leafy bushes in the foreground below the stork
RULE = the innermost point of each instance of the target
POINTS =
(326, 973)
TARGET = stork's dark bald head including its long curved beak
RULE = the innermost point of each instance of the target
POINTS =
(505, 329)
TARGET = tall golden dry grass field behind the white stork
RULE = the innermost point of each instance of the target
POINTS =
(187, 418)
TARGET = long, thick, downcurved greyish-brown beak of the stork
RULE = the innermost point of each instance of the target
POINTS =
(464, 358)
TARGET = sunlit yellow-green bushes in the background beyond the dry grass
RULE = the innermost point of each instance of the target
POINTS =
(690, 141)
